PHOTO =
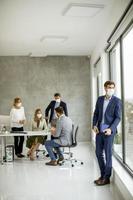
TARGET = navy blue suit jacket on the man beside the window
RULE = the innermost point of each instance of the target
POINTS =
(112, 114)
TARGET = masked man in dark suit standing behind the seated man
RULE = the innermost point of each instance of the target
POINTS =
(51, 107)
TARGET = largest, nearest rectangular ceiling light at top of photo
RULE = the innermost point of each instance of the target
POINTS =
(82, 10)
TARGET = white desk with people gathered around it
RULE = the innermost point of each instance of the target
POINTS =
(28, 133)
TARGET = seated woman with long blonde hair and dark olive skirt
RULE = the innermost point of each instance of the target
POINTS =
(33, 142)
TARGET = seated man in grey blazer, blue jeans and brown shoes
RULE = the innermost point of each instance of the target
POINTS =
(62, 134)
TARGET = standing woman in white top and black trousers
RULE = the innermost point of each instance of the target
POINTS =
(17, 118)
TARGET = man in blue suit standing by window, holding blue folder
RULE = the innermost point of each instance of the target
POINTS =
(107, 116)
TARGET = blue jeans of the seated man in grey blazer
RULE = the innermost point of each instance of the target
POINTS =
(49, 145)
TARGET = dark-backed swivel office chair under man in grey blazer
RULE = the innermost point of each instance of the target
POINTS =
(70, 158)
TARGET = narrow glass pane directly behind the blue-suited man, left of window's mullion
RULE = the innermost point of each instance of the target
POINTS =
(116, 77)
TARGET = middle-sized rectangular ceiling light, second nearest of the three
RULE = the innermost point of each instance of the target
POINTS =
(53, 38)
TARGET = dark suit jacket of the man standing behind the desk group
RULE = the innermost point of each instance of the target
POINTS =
(51, 108)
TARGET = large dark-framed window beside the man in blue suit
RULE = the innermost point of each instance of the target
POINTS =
(121, 68)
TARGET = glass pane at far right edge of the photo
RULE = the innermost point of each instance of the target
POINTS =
(128, 91)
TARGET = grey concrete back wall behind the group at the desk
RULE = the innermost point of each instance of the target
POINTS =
(35, 80)
